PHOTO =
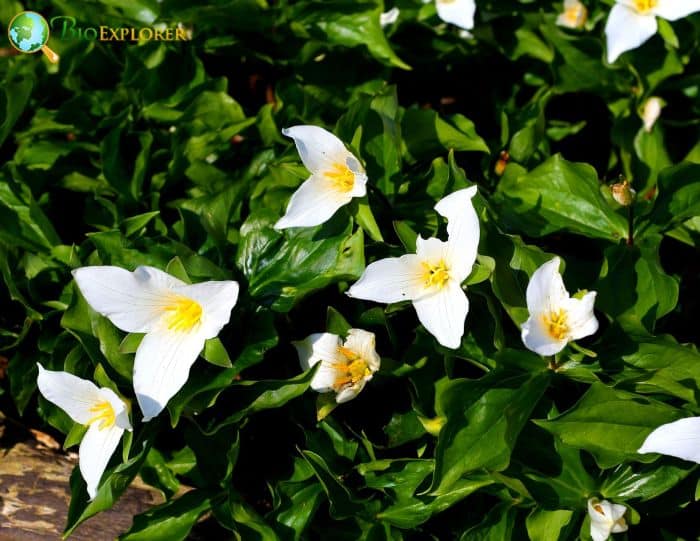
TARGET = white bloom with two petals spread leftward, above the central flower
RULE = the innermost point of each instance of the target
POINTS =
(336, 177)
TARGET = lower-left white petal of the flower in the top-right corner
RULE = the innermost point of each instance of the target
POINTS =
(626, 30)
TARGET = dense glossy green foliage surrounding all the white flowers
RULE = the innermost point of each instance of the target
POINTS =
(170, 154)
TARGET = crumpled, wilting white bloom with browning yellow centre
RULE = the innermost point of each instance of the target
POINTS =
(345, 367)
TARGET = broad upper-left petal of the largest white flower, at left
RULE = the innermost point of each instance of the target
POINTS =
(133, 301)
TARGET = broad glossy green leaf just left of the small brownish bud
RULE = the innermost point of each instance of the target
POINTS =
(559, 195)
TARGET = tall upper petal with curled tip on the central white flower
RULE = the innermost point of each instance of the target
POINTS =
(462, 231)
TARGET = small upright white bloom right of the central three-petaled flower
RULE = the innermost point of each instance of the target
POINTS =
(555, 317)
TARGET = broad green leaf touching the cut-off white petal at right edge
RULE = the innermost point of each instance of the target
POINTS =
(610, 424)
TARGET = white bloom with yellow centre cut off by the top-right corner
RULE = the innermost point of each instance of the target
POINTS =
(632, 22)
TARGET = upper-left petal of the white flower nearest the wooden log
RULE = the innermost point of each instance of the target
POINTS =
(72, 394)
